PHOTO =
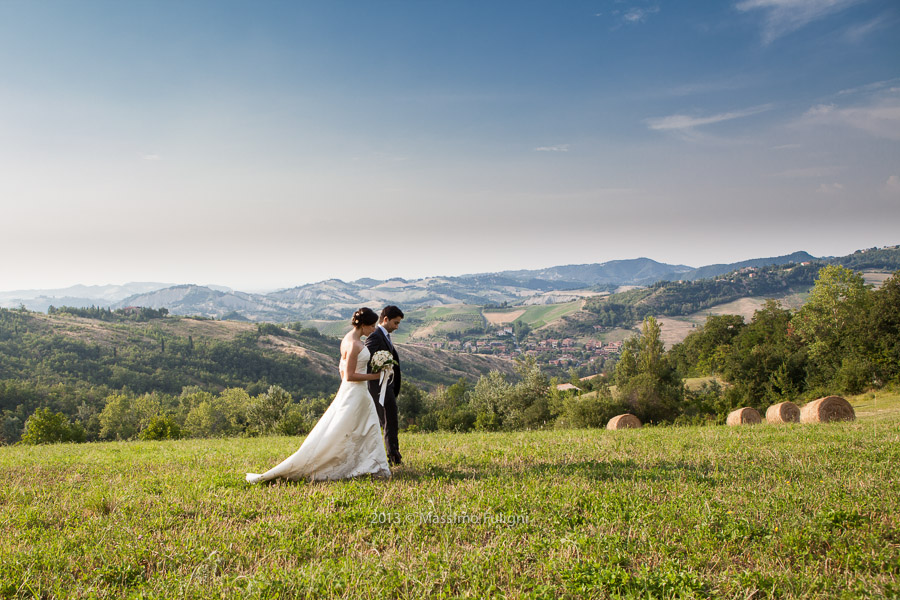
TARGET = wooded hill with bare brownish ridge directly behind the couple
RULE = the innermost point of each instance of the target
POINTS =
(39, 351)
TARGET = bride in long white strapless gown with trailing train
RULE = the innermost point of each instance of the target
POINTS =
(346, 442)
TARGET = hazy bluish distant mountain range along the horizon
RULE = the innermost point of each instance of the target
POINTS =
(334, 299)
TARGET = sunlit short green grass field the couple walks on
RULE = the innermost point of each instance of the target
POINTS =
(755, 512)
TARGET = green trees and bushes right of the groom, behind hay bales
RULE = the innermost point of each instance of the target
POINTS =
(844, 340)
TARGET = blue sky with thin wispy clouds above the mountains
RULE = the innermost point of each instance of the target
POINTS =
(268, 144)
